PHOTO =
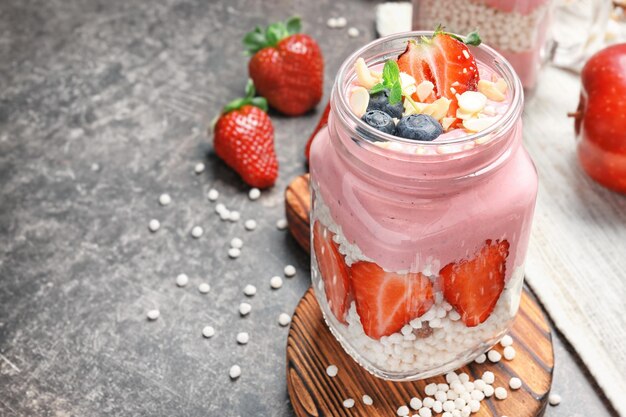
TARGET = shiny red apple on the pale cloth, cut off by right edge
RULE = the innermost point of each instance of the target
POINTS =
(601, 118)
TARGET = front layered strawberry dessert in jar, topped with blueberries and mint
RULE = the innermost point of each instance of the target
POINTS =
(422, 204)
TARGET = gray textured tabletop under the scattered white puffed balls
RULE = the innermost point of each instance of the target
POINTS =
(103, 107)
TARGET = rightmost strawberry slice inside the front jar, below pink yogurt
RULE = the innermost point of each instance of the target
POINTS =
(473, 286)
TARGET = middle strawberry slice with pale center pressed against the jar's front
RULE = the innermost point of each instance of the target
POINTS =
(386, 301)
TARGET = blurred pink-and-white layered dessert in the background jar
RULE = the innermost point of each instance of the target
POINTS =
(517, 29)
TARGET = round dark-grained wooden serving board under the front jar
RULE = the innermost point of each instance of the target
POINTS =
(311, 348)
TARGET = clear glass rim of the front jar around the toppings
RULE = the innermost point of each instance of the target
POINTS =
(512, 113)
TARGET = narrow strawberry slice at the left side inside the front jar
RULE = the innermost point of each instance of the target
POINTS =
(333, 269)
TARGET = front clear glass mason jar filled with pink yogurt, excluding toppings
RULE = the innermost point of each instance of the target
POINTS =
(418, 248)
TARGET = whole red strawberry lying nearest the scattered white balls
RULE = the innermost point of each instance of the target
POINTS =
(244, 138)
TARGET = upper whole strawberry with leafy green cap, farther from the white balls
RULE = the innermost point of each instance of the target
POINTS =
(287, 67)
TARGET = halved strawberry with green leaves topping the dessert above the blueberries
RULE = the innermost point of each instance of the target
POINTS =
(444, 60)
